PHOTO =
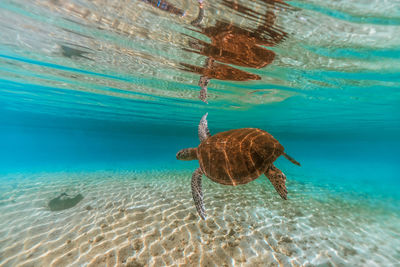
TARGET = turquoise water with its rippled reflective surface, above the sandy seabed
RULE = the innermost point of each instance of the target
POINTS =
(113, 85)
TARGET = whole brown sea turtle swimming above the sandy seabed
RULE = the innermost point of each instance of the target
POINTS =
(234, 157)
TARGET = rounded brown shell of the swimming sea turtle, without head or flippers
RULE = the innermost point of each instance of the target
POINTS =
(238, 156)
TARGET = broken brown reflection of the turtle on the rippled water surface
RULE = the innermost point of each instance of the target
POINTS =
(234, 45)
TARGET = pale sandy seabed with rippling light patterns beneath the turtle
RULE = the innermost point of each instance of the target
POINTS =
(130, 218)
